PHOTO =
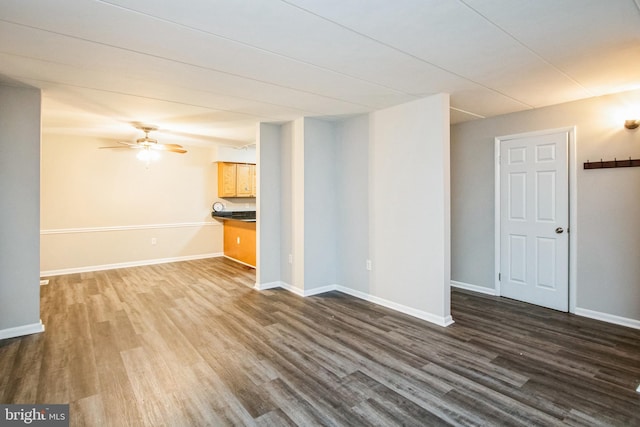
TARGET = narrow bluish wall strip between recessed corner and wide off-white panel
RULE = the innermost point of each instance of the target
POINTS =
(352, 203)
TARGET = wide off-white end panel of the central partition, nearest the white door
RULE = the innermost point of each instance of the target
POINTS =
(409, 207)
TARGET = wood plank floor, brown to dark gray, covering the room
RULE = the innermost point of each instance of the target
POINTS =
(192, 344)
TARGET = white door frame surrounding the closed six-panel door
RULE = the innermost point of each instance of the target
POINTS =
(573, 206)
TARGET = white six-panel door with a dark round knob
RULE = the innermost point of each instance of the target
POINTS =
(534, 219)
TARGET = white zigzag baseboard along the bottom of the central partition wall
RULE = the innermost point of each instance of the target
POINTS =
(423, 315)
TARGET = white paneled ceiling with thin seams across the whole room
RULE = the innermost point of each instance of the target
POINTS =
(206, 71)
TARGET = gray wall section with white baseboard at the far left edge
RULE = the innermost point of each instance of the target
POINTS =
(20, 213)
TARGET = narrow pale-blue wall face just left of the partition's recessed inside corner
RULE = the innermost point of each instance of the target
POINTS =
(321, 211)
